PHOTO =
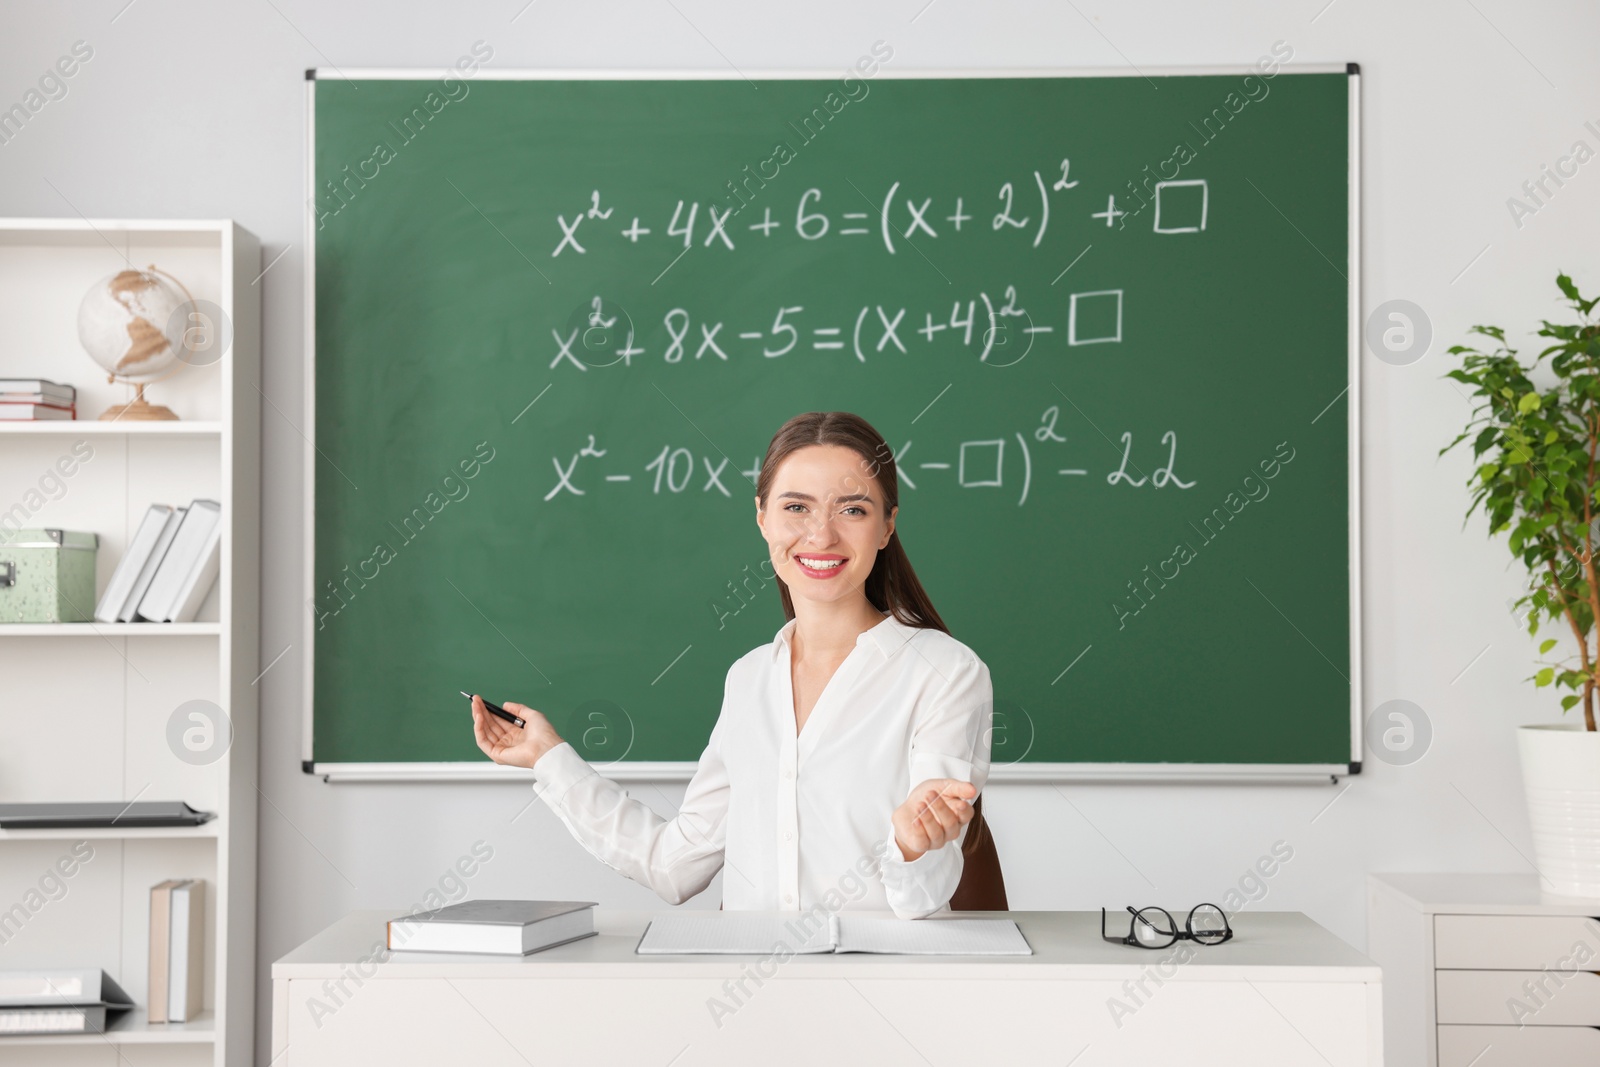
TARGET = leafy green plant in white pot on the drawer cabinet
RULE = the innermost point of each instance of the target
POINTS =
(1537, 481)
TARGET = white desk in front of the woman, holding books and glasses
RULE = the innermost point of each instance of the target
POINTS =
(1282, 994)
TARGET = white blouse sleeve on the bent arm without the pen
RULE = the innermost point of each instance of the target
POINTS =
(950, 741)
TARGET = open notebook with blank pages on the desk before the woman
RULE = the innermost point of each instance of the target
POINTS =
(761, 933)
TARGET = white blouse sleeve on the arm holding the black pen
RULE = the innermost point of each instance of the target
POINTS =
(678, 857)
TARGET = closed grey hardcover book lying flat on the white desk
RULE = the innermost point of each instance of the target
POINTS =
(494, 927)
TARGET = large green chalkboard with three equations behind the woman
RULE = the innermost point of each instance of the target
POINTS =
(1105, 322)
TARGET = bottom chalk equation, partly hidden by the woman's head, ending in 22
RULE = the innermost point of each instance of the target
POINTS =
(996, 463)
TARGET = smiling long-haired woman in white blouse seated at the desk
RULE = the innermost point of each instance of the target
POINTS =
(857, 738)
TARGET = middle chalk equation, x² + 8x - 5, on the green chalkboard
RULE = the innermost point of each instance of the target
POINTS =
(1001, 330)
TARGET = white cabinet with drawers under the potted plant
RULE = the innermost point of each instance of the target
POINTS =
(1486, 970)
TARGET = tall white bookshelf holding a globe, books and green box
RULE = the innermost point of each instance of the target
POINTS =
(86, 708)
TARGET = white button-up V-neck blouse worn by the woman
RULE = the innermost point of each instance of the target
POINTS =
(802, 821)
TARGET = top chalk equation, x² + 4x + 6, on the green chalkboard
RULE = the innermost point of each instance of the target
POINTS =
(1018, 209)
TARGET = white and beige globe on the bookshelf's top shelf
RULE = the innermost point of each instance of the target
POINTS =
(132, 326)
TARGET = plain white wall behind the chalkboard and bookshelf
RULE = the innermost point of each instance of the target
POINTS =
(196, 110)
